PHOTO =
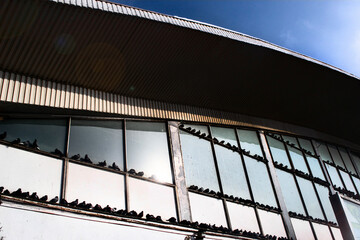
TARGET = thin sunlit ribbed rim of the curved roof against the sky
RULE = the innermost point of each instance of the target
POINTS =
(192, 24)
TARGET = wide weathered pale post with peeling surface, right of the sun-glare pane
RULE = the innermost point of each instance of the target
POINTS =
(182, 193)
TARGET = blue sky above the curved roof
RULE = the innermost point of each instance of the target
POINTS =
(327, 30)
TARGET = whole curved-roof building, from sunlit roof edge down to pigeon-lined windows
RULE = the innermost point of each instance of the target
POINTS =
(117, 122)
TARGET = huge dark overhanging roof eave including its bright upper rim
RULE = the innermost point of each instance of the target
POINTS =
(153, 56)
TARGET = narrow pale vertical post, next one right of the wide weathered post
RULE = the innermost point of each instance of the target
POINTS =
(275, 181)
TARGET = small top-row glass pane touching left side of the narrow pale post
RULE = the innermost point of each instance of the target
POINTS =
(249, 141)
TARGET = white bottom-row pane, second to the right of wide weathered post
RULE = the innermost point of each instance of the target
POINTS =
(242, 217)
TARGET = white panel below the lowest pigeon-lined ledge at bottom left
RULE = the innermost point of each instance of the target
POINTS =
(60, 226)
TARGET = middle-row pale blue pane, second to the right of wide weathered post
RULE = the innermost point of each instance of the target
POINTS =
(232, 172)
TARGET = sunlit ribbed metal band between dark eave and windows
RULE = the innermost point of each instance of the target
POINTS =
(26, 90)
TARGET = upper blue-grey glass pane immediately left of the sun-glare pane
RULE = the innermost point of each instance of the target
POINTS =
(100, 140)
